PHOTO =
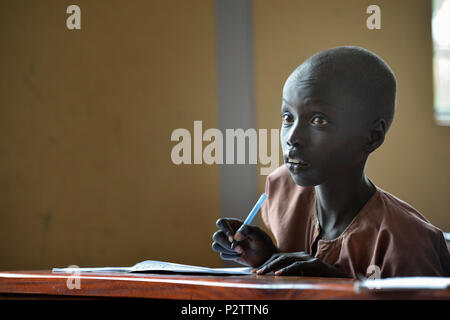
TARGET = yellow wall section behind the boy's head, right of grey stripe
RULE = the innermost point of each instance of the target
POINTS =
(413, 163)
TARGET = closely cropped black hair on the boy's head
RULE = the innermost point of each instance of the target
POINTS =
(369, 77)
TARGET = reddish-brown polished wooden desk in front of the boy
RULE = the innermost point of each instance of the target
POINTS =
(41, 284)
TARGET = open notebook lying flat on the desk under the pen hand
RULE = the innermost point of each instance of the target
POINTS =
(152, 266)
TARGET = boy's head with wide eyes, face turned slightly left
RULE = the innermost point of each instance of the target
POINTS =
(337, 107)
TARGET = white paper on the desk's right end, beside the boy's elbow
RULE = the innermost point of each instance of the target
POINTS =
(404, 283)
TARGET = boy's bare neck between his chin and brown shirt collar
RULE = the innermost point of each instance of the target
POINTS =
(340, 200)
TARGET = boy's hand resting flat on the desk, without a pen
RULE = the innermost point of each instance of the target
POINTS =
(299, 264)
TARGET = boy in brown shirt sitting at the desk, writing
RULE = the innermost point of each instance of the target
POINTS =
(327, 217)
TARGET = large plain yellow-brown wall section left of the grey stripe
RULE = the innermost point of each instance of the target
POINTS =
(86, 117)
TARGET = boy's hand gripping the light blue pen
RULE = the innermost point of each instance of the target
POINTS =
(253, 248)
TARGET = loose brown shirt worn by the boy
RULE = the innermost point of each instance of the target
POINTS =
(387, 232)
